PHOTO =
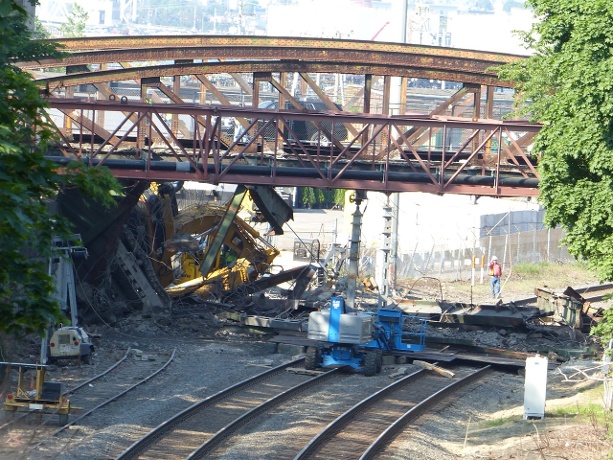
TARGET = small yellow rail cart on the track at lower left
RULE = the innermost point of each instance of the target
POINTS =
(34, 394)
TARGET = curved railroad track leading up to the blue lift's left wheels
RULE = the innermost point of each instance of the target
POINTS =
(199, 428)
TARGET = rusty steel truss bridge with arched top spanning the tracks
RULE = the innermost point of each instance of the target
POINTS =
(124, 102)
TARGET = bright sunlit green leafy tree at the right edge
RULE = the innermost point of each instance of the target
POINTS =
(567, 84)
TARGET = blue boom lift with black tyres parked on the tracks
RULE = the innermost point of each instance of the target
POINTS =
(358, 339)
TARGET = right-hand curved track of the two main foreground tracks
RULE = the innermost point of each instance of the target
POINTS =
(362, 431)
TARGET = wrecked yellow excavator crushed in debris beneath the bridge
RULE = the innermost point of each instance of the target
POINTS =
(207, 249)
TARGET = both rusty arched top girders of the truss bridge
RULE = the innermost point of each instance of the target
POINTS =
(269, 54)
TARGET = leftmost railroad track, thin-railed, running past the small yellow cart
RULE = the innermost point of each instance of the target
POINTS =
(90, 396)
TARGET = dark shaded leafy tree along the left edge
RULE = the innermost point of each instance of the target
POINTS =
(29, 182)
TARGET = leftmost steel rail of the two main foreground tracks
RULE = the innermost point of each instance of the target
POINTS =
(140, 445)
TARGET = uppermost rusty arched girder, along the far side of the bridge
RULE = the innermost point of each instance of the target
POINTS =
(147, 48)
